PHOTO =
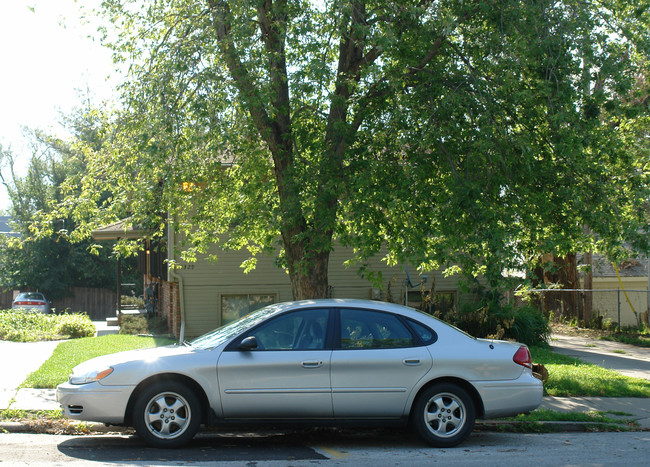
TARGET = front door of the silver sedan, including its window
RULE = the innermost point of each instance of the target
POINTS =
(286, 376)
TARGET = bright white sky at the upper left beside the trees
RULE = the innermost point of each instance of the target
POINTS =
(47, 56)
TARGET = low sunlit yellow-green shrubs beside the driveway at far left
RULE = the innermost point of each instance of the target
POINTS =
(21, 326)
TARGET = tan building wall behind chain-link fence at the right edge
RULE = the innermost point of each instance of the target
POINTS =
(609, 292)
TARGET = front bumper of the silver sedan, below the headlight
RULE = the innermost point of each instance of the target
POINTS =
(94, 402)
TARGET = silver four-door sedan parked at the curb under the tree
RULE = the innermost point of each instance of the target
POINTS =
(317, 362)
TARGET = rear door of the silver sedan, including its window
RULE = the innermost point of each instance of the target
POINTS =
(375, 365)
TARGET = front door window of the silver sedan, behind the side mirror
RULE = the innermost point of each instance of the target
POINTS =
(299, 330)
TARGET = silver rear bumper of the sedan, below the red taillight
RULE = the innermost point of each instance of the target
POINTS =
(511, 397)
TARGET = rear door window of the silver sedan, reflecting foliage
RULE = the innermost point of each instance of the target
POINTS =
(365, 329)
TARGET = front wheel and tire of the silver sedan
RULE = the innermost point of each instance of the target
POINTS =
(167, 414)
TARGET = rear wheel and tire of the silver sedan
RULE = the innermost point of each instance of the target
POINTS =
(443, 415)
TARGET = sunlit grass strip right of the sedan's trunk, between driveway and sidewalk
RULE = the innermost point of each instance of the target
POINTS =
(571, 377)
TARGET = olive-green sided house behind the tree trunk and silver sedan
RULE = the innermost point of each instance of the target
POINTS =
(200, 296)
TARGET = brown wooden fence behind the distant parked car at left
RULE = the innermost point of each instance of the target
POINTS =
(99, 304)
